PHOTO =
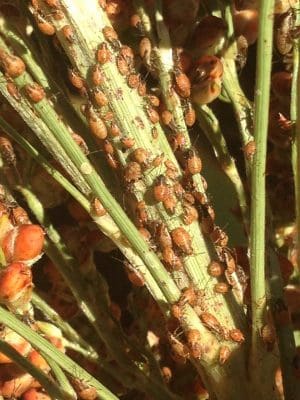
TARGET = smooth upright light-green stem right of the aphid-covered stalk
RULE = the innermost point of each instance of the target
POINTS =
(258, 196)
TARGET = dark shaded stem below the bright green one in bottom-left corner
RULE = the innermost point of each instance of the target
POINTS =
(52, 388)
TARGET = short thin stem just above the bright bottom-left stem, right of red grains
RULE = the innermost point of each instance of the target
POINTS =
(65, 327)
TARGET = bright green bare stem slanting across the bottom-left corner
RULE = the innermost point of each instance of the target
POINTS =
(48, 349)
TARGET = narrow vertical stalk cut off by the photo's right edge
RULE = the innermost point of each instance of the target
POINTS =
(295, 116)
